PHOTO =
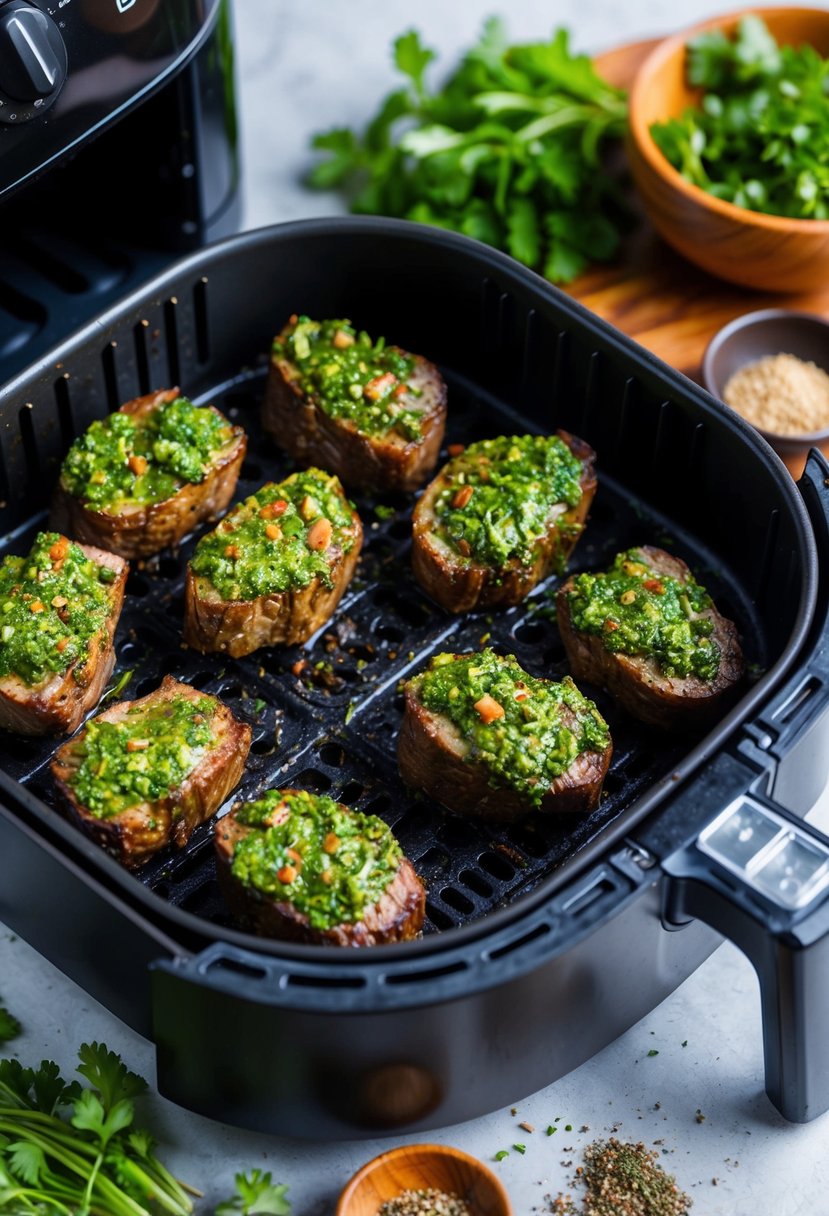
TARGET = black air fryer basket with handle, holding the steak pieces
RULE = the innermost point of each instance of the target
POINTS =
(546, 939)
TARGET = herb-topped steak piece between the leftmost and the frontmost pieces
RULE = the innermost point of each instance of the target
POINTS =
(145, 774)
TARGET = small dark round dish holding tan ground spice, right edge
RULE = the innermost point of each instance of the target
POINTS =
(771, 333)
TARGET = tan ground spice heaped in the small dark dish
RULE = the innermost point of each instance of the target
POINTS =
(782, 395)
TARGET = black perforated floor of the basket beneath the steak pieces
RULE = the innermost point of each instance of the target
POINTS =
(325, 717)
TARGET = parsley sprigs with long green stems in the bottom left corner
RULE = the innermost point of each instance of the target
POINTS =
(72, 1150)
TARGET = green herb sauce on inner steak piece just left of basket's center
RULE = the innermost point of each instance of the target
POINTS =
(264, 545)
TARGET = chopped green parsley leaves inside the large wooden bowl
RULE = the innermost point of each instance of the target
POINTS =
(762, 138)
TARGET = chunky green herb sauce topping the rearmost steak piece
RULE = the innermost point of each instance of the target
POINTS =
(352, 378)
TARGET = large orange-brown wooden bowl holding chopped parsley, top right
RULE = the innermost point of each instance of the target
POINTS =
(768, 252)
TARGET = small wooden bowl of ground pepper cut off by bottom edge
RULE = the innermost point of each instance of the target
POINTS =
(419, 1168)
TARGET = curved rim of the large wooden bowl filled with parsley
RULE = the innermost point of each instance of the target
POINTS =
(659, 164)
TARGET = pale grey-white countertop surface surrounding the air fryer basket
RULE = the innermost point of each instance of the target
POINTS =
(304, 69)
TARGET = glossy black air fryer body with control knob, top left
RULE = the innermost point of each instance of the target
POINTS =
(119, 151)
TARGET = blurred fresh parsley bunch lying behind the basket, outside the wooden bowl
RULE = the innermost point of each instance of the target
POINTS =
(511, 151)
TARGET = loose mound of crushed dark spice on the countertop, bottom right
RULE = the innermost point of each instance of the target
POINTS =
(623, 1180)
